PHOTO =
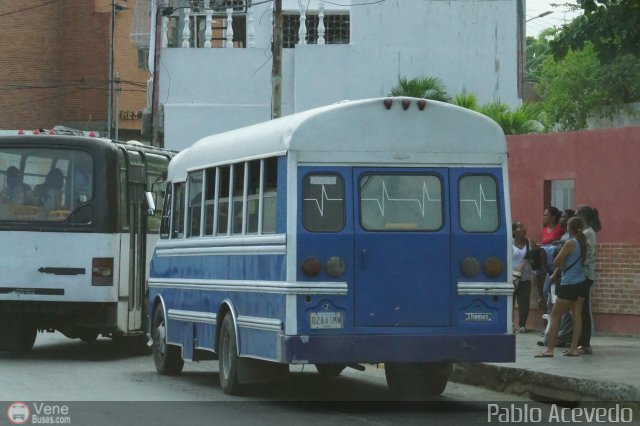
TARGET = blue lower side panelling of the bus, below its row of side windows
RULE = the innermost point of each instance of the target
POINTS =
(222, 277)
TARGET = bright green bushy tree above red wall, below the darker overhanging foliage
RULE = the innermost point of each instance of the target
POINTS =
(580, 87)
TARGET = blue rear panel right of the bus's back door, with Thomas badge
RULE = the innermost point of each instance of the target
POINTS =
(478, 313)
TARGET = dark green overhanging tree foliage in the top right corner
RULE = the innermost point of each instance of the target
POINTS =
(612, 27)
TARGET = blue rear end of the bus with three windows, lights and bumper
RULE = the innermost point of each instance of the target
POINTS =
(422, 253)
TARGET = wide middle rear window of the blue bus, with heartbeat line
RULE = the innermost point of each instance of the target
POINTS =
(401, 202)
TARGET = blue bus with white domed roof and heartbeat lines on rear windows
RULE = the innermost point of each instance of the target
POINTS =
(373, 231)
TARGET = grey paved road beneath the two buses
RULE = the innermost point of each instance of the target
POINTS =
(103, 385)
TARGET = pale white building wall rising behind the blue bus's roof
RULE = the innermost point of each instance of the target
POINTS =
(470, 44)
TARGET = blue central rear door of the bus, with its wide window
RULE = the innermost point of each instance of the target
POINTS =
(402, 248)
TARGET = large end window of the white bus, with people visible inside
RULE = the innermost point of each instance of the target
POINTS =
(43, 184)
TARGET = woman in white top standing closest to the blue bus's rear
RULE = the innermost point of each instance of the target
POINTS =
(521, 273)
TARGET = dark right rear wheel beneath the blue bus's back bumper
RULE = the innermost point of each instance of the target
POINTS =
(417, 379)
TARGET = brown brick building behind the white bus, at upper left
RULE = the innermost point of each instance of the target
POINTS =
(54, 64)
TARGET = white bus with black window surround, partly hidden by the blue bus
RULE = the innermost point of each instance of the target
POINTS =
(73, 236)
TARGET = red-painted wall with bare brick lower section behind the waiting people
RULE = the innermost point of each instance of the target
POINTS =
(598, 168)
